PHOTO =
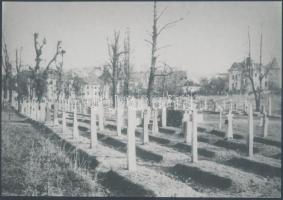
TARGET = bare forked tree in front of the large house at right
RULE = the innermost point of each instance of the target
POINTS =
(262, 73)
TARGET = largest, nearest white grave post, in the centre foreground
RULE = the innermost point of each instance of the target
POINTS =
(131, 147)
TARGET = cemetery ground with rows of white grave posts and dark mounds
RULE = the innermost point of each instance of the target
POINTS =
(183, 147)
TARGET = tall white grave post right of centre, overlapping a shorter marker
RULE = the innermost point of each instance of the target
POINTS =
(194, 137)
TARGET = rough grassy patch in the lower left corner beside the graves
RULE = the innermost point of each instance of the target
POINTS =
(33, 166)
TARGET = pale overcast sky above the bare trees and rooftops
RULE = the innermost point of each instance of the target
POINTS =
(211, 37)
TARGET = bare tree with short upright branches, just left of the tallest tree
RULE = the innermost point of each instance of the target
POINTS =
(115, 63)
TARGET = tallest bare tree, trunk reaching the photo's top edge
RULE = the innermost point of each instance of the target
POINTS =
(156, 31)
